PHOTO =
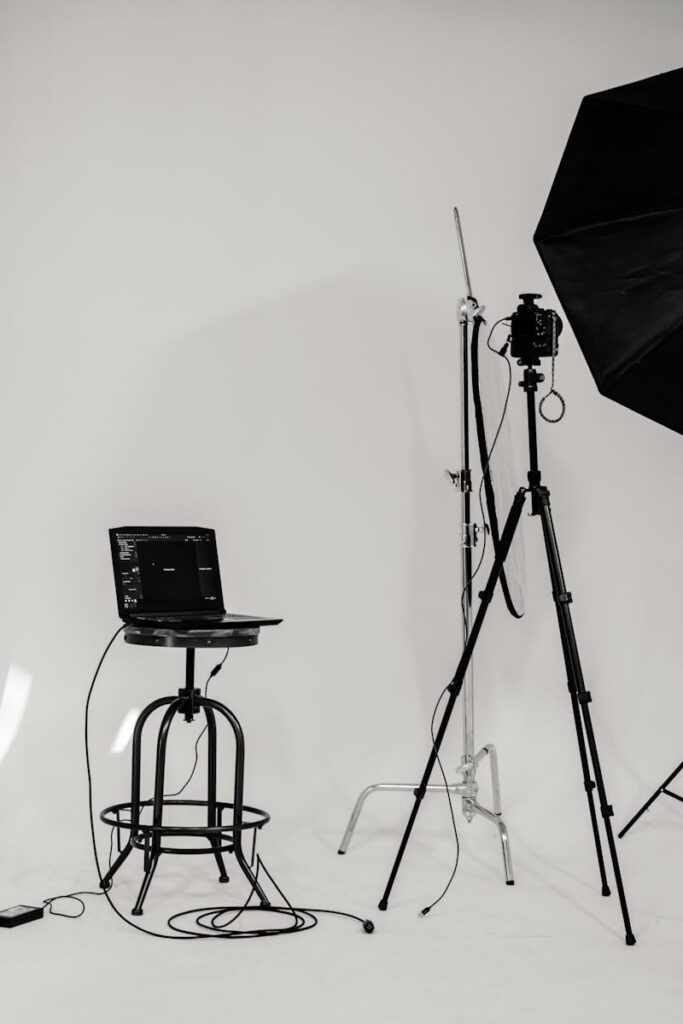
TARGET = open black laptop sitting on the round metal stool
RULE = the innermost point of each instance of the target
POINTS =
(168, 578)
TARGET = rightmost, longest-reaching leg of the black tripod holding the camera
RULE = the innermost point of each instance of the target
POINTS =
(581, 696)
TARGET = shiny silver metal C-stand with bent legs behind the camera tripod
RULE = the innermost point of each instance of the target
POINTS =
(468, 790)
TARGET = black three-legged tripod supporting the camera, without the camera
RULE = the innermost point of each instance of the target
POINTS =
(581, 698)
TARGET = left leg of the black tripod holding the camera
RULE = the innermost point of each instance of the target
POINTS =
(458, 680)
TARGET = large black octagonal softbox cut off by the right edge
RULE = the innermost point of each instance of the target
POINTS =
(612, 240)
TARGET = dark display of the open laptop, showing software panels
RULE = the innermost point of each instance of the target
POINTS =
(166, 570)
